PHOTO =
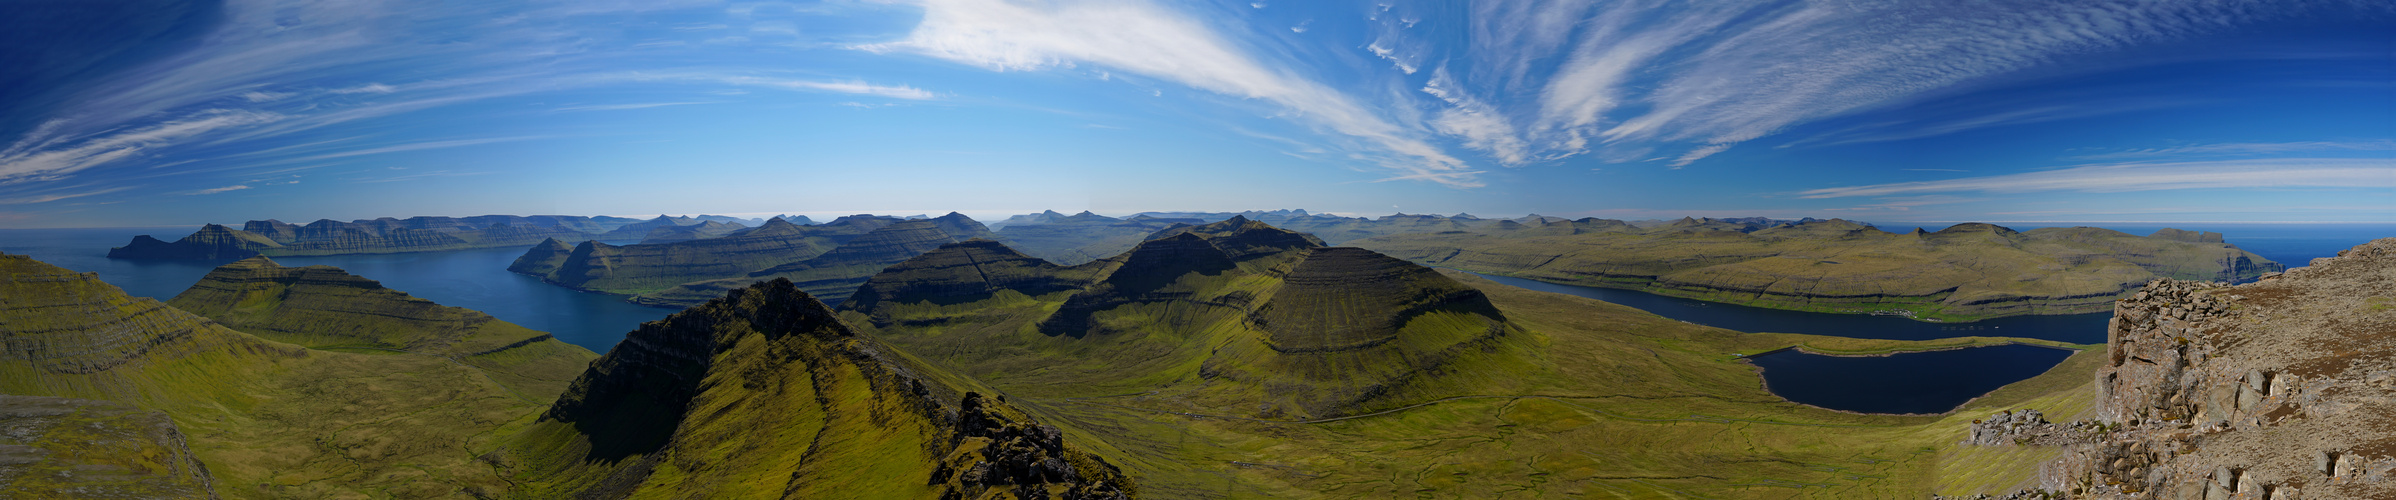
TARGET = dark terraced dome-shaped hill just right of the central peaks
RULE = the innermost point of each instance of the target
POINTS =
(1353, 298)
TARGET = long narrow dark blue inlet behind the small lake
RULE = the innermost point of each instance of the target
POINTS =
(2079, 329)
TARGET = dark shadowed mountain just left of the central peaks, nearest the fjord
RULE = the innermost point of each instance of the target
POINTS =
(969, 272)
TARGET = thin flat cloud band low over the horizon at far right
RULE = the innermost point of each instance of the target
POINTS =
(2277, 173)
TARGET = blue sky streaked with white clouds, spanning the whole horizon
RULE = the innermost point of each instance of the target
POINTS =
(181, 114)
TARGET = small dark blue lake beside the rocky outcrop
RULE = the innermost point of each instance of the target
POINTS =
(1904, 384)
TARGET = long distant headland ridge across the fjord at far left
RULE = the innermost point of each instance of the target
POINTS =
(382, 236)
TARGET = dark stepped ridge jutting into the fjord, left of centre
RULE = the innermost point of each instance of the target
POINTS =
(639, 269)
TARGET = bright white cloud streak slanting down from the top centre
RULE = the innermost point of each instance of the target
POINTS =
(1163, 44)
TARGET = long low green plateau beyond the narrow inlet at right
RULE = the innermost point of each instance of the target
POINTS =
(1956, 274)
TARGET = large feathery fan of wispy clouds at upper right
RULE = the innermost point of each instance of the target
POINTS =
(1705, 78)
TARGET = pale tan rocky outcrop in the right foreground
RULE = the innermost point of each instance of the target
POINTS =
(2270, 391)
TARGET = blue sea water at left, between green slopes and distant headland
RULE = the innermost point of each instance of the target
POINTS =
(473, 279)
